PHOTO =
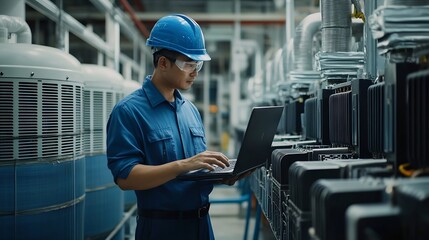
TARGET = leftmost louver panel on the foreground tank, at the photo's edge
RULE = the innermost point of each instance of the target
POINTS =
(6, 121)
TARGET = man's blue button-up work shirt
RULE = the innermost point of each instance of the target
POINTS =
(144, 128)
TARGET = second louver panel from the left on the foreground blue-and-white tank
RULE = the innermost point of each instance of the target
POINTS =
(27, 120)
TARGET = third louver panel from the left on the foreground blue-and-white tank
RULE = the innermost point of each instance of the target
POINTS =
(50, 120)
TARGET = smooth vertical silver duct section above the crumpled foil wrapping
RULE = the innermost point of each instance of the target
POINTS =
(336, 25)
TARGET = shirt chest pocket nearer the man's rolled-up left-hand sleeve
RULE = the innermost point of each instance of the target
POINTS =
(162, 146)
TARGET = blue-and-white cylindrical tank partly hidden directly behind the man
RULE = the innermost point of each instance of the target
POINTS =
(104, 204)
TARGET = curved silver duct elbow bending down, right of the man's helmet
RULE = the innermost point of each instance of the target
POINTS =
(303, 42)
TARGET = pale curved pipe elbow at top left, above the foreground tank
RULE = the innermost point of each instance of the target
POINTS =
(18, 26)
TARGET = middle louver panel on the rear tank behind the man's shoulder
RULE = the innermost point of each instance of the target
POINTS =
(98, 121)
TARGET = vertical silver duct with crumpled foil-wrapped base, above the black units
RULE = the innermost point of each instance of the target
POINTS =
(337, 61)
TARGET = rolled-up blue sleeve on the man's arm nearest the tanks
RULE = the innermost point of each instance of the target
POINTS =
(124, 148)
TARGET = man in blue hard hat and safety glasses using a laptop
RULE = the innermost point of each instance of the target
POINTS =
(154, 134)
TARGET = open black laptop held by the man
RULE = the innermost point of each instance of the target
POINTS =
(255, 147)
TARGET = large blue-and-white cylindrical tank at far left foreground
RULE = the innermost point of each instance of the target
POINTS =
(42, 183)
